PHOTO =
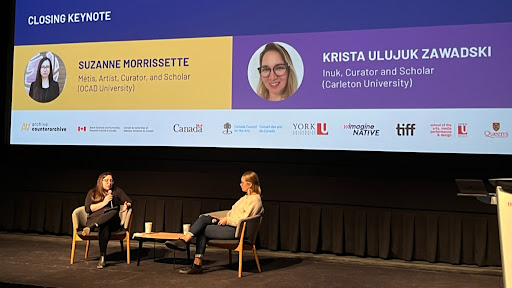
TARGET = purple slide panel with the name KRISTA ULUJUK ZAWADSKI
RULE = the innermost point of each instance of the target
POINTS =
(466, 66)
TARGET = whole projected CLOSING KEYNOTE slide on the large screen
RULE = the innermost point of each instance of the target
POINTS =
(204, 74)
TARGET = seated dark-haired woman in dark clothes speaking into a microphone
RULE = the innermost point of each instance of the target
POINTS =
(102, 206)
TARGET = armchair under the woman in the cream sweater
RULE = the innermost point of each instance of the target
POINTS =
(245, 238)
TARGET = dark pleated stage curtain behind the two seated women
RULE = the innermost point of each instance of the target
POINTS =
(449, 237)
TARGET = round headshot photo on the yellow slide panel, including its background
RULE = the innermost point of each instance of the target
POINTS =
(44, 77)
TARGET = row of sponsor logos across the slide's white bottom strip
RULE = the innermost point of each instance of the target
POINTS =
(436, 129)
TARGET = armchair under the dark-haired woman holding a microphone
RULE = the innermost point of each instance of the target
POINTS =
(79, 218)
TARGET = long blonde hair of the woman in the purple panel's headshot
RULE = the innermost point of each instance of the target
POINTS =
(291, 83)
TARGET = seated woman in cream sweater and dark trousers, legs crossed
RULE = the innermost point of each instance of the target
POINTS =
(207, 227)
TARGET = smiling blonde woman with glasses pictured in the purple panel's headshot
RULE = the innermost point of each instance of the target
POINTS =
(278, 79)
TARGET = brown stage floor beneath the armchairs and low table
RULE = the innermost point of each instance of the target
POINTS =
(43, 261)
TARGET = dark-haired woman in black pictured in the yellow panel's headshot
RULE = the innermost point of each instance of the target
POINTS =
(44, 88)
